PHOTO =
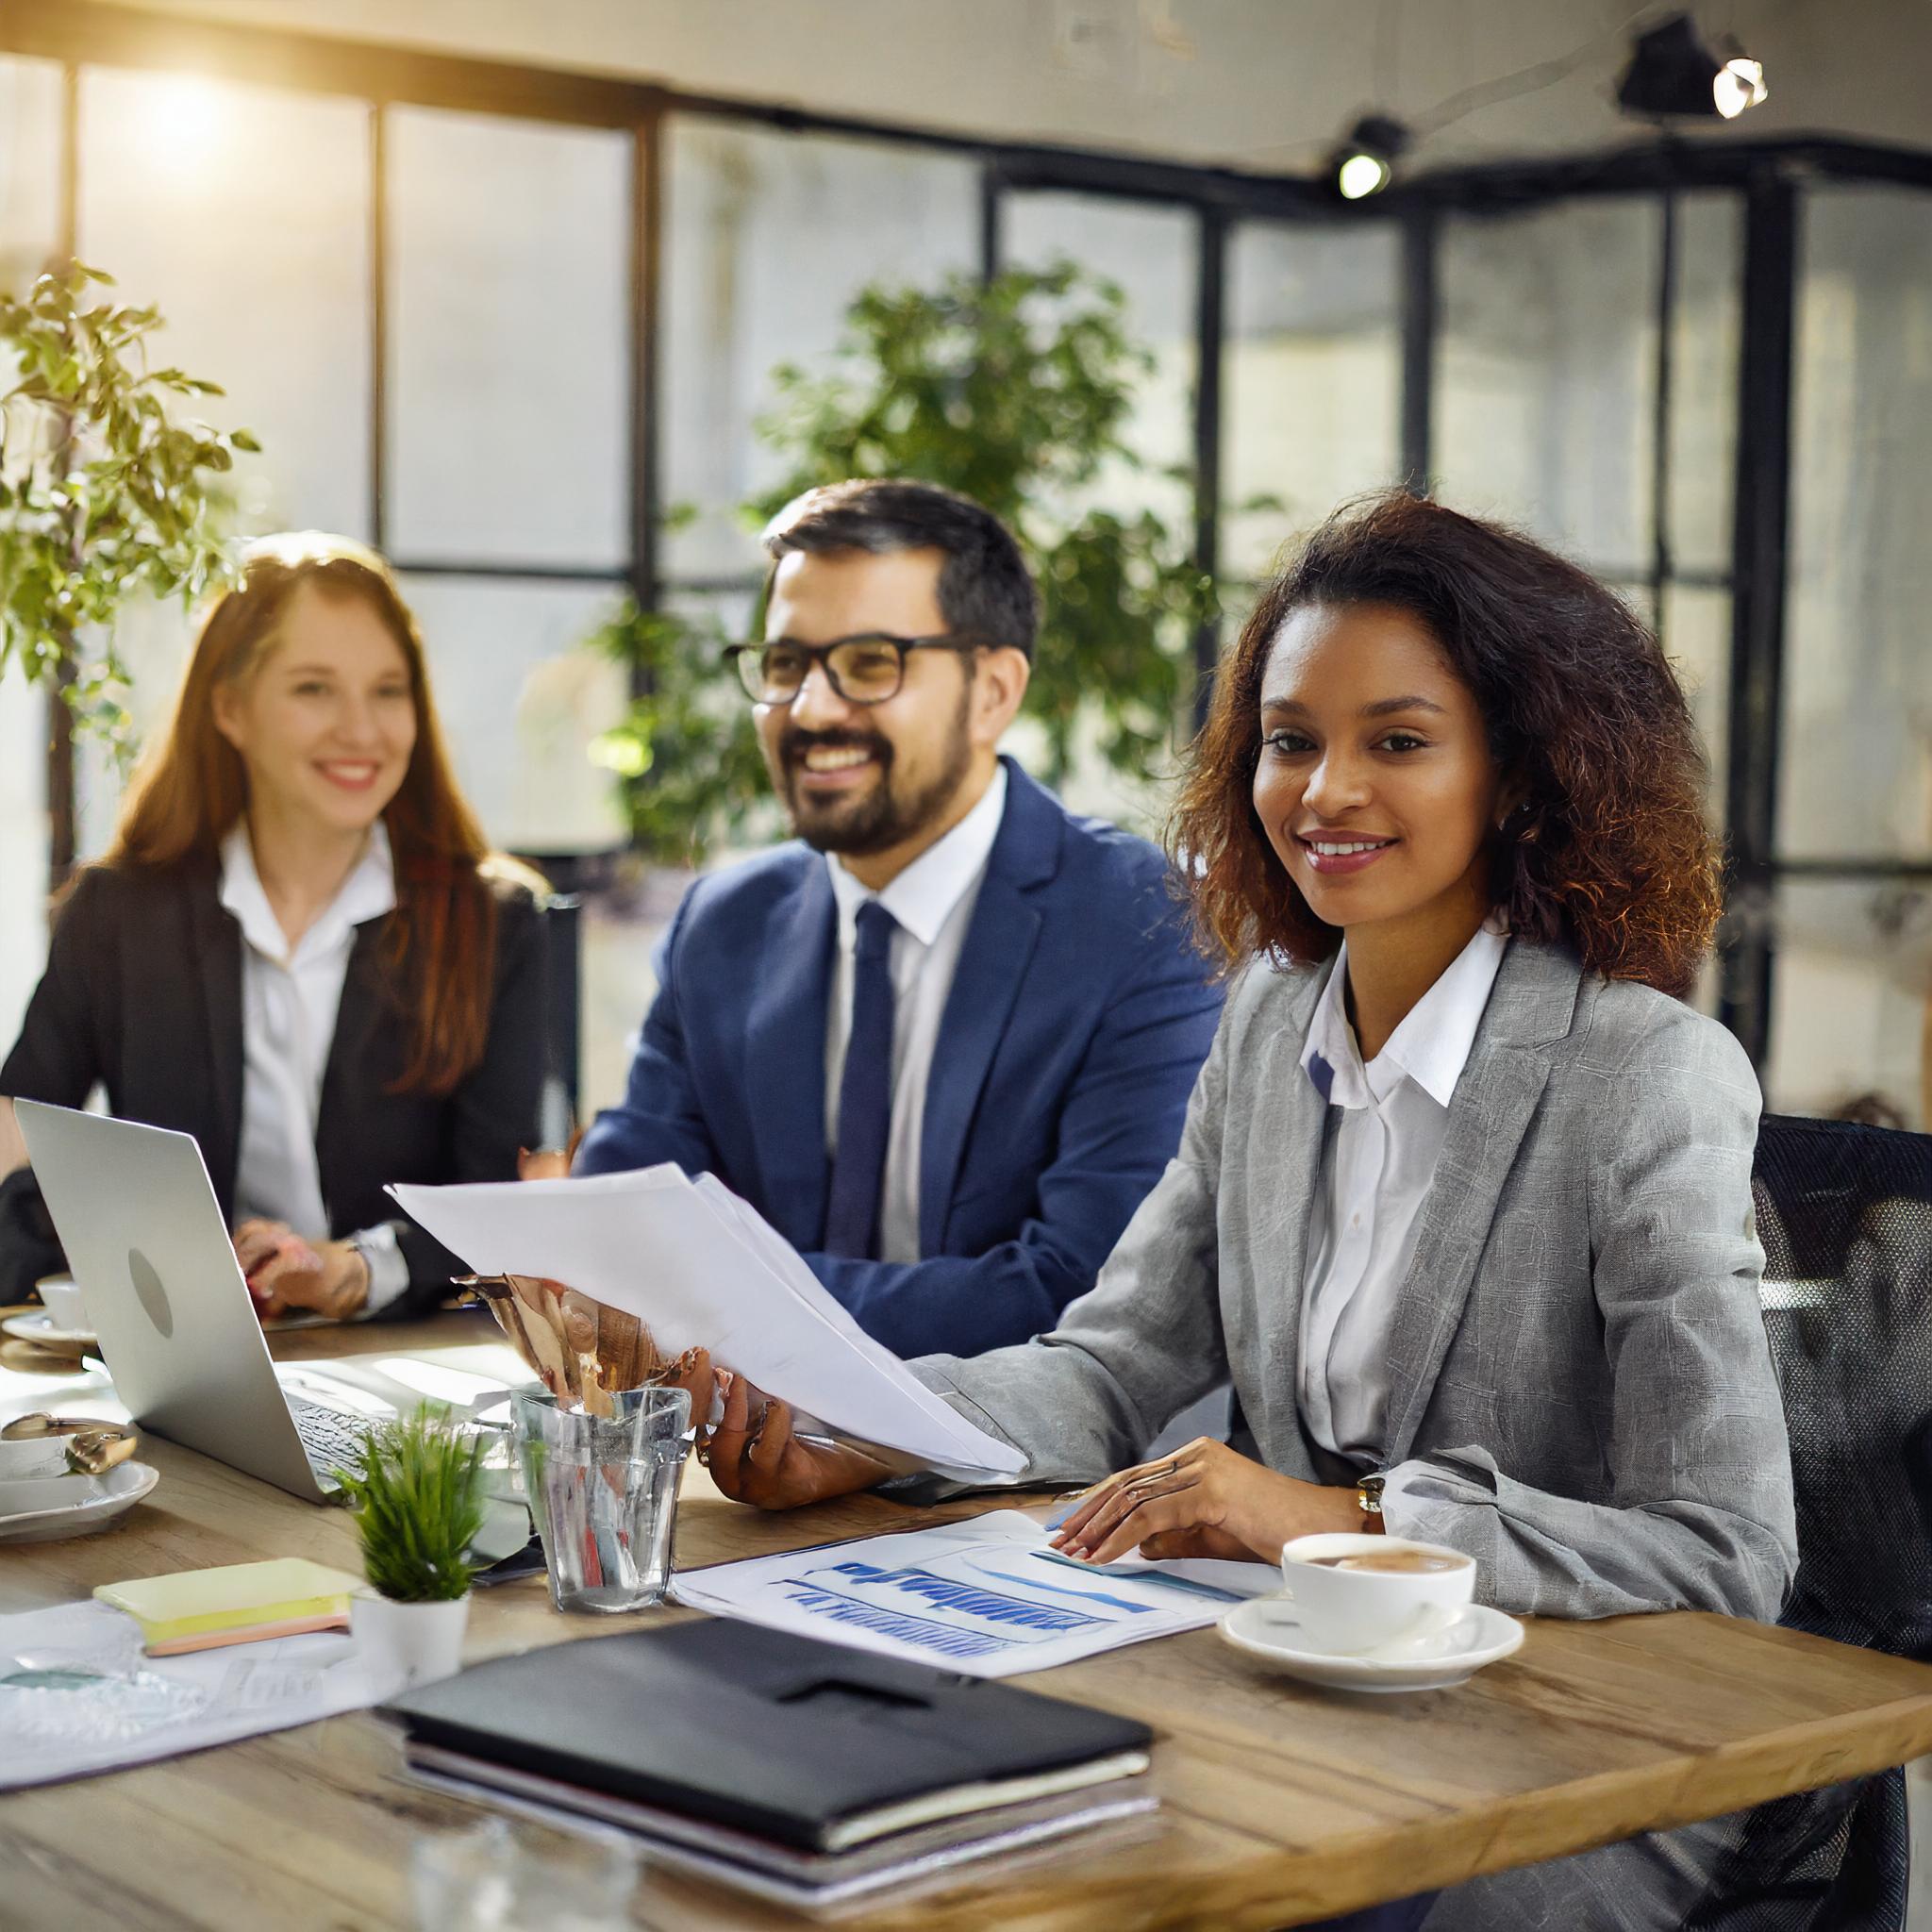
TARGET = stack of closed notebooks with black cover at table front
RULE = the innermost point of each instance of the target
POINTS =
(803, 1773)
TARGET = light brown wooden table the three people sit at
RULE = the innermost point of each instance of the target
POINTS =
(1284, 1804)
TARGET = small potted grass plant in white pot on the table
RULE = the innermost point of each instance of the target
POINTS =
(420, 1506)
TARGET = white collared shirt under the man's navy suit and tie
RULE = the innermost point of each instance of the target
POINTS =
(932, 903)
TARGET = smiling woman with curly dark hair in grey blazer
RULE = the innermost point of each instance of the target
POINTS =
(1463, 1201)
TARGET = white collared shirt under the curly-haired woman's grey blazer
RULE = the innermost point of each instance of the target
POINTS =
(1378, 1160)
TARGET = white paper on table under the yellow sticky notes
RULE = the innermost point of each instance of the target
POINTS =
(144, 1709)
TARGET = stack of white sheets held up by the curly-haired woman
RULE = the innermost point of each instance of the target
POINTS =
(700, 1268)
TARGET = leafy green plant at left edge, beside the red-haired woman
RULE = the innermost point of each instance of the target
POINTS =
(107, 492)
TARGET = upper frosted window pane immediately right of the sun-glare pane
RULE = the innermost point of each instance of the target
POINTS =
(509, 341)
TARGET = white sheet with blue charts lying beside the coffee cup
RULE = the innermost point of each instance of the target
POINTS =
(980, 1597)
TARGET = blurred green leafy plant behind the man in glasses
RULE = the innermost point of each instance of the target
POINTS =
(1019, 393)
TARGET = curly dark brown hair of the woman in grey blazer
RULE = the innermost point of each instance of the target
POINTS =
(1608, 851)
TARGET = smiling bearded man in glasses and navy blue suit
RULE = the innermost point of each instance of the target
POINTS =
(944, 1040)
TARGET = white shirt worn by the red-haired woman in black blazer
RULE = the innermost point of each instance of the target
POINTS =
(289, 1023)
